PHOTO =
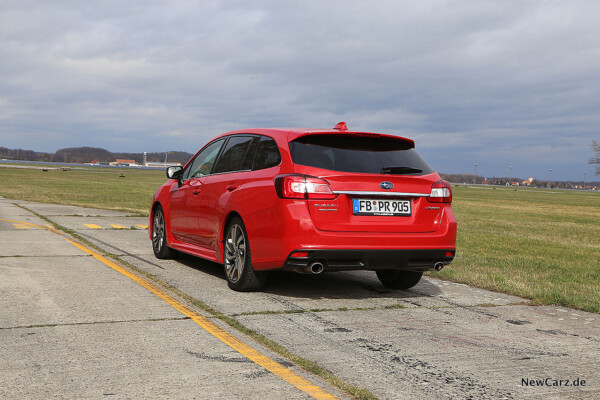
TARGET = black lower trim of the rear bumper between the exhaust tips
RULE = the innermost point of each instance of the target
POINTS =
(368, 259)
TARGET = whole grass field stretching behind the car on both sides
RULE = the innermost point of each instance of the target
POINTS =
(540, 244)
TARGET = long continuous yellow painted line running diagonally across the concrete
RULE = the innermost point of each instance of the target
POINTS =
(264, 361)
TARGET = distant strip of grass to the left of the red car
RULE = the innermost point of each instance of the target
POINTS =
(88, 187)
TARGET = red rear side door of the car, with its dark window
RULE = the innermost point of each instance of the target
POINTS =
(229, 173)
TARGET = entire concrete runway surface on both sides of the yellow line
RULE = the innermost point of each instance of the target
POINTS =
(71, 327)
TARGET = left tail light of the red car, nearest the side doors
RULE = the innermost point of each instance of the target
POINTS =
(303, 187)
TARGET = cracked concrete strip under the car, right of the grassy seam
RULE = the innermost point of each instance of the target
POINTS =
(437, 340)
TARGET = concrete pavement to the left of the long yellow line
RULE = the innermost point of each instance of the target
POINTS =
(73, 328)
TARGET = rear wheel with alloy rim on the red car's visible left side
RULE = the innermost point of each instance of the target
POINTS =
(237, 260)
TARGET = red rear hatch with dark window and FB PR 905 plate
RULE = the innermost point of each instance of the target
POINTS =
(381, 183)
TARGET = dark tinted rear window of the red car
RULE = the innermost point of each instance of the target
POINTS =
(362, 154)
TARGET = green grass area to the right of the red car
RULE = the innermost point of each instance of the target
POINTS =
(540, 244)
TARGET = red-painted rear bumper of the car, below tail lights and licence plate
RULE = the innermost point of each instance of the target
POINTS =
(277, 232)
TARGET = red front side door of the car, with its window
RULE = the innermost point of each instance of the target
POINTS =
(188, 194)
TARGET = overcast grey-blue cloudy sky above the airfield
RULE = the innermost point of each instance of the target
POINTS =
(493, 83)
